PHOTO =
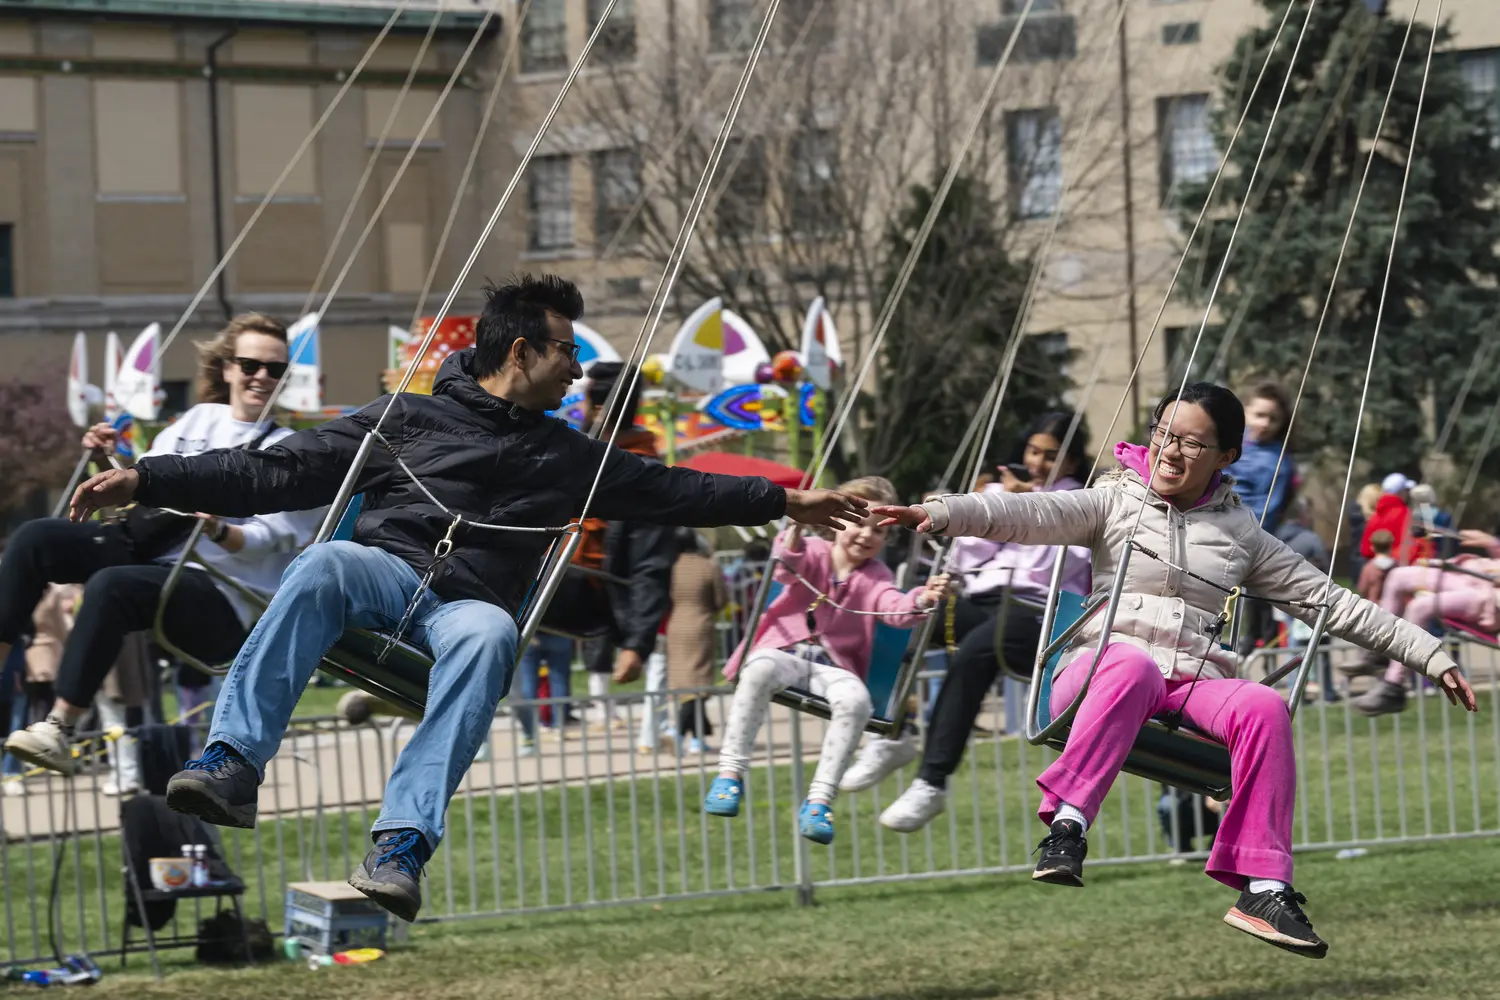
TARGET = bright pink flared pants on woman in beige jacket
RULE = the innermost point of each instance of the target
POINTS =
(1255, 836)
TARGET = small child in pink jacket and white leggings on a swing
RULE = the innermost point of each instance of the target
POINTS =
(817, 636)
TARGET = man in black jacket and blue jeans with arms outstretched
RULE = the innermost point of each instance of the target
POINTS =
(466, 467)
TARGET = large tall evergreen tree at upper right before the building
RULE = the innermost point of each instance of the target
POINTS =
(1442, 301)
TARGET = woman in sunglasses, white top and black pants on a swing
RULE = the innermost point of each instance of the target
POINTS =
(124, 576)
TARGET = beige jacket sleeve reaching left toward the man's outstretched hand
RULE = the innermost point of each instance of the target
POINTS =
(1063, 518)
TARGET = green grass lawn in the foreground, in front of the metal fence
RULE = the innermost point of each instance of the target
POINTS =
(1403, 923)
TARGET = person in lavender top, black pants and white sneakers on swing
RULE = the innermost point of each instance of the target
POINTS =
(986, 570)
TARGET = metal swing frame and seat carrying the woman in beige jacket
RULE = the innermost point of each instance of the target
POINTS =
(1175, 756)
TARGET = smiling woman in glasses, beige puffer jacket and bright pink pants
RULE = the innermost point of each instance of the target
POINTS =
(1165, 657)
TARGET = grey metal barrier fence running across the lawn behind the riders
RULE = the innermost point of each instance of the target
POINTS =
(593, 821)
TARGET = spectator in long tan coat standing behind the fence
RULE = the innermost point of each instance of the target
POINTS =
(698, 596)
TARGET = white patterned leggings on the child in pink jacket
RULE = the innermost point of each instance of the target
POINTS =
(770, 671)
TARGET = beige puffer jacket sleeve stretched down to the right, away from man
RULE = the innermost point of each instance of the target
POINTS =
(1277, 570)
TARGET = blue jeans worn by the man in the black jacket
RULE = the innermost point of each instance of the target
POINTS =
(343, 584)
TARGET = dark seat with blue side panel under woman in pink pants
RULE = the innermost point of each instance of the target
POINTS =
(1180, 758)
